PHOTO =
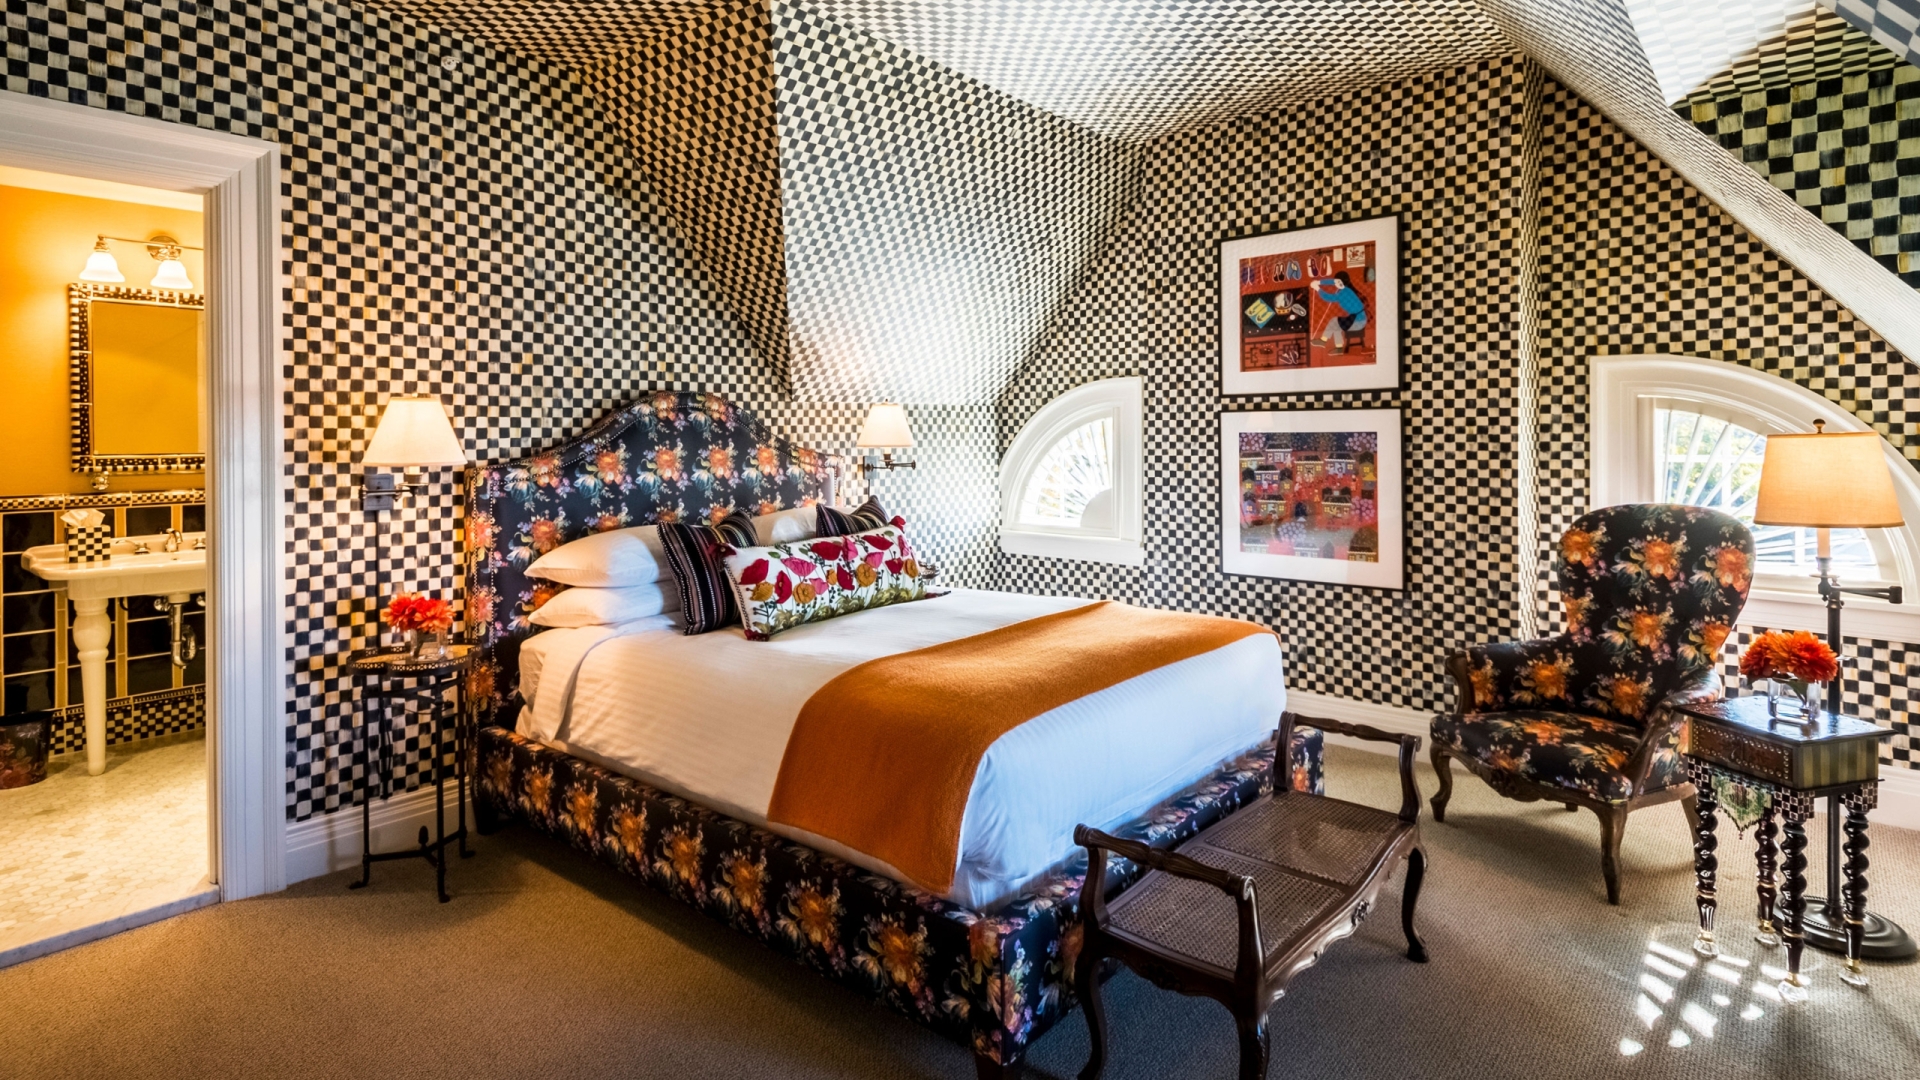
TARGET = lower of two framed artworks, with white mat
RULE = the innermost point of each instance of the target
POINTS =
(1314, 495)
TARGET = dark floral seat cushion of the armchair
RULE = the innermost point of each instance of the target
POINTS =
(1581, 754)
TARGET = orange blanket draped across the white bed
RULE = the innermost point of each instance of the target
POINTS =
(884, 756)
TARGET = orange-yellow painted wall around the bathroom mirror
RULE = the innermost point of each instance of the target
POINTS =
(45, 239)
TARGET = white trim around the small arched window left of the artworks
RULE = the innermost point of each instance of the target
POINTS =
(1124, 543)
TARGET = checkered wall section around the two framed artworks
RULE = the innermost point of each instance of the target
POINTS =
(1447, 155)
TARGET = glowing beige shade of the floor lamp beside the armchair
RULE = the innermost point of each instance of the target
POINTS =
(1827, 481)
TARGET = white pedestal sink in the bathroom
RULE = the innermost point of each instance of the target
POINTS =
(176, 576)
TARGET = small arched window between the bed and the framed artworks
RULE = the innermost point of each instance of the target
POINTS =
(1070, 485)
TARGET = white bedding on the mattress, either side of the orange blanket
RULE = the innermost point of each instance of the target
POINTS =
(708, 718)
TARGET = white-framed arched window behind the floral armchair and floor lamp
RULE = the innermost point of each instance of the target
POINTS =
(1694, 431)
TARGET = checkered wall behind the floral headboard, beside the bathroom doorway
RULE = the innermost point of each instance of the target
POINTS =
(456, 222)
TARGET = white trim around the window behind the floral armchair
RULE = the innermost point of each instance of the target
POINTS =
(1621, 472)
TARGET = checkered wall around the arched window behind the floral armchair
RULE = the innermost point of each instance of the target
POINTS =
(1633, 260)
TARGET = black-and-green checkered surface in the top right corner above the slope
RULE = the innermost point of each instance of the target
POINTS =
(1831, 118)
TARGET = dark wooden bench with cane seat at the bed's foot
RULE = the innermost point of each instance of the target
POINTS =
(1253, 900)
